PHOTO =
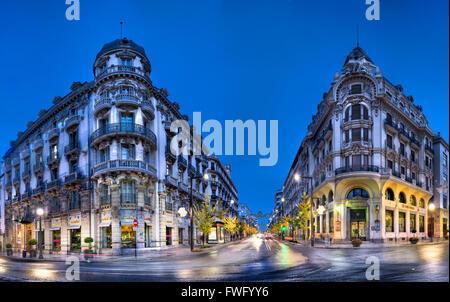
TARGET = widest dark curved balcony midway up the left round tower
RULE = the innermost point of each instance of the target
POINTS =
(111, 130)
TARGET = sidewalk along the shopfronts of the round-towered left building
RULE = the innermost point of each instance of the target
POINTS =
(147, 254)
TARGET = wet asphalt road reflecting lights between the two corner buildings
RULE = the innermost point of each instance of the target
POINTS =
(252, 259)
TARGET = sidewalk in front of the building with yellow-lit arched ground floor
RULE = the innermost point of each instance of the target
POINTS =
(365, 244)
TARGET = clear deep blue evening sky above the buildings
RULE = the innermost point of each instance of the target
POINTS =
(242, 59)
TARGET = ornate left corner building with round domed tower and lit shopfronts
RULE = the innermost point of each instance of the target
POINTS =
(99, 159)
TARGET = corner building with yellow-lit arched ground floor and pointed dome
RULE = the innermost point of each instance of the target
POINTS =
(369, 152)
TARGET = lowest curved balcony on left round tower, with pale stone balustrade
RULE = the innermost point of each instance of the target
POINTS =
(123, 165)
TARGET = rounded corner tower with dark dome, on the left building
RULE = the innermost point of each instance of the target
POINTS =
(123, 144)
